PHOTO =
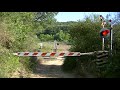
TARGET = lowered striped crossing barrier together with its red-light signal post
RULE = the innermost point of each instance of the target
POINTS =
(101, 55)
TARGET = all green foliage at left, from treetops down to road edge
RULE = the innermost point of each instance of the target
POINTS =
(18, 34)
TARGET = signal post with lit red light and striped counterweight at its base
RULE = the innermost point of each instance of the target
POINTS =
(107, 35)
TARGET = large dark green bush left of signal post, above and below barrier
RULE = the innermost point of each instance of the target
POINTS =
(85, 38)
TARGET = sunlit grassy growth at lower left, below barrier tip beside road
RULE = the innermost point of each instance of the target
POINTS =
(10, 64)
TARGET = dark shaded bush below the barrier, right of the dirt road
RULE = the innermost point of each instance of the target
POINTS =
(80, 65)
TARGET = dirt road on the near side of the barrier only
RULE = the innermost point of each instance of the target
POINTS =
(51, 69)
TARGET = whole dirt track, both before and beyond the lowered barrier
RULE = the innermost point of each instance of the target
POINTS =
(51, 68)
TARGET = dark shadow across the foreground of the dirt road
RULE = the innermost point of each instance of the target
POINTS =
(52, 71)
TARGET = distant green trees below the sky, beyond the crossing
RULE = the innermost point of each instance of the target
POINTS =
(59, 31)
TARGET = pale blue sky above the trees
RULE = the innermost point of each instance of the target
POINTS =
(75, 16)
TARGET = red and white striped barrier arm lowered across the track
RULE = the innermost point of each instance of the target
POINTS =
(46, 54)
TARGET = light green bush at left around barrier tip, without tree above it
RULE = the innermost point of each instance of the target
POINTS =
(11, 41)
